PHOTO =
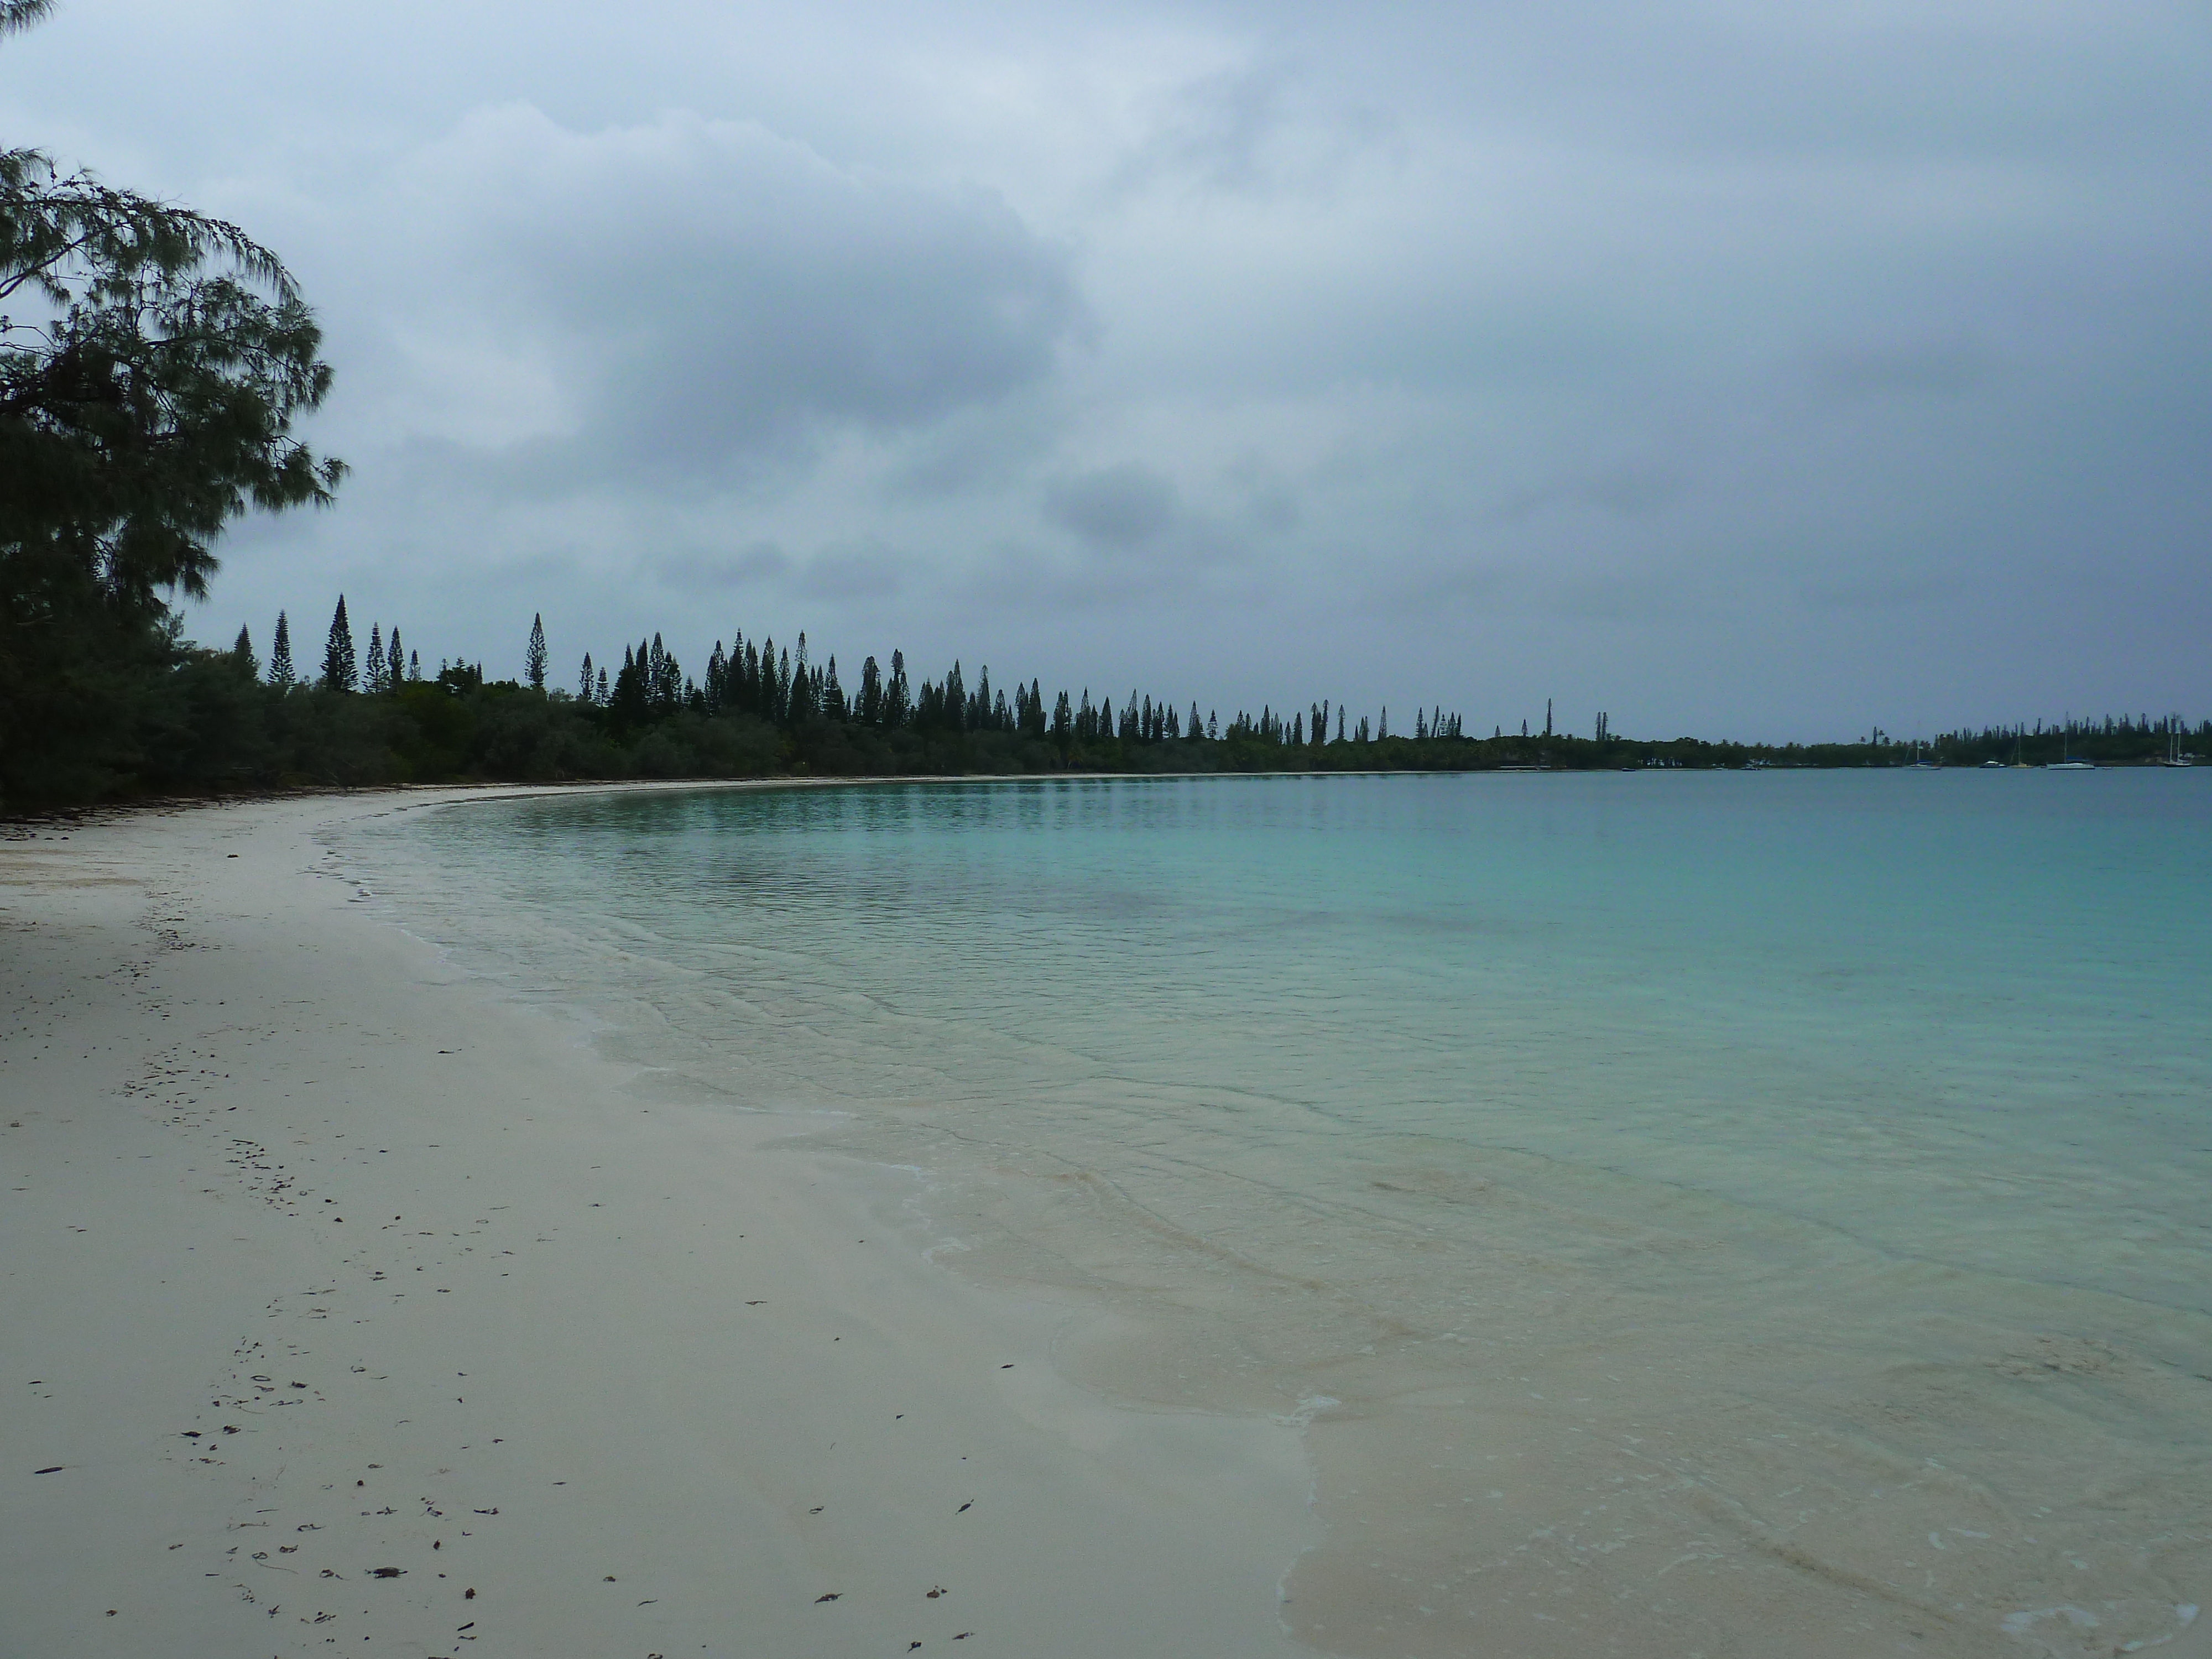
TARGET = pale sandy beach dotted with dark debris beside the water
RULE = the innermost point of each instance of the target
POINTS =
(353, 1308)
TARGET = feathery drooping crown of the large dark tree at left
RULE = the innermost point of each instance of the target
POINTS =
(154, 397)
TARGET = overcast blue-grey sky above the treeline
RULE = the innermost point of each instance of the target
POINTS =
(1766, 371)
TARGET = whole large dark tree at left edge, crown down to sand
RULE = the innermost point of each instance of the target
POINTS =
(152, 368)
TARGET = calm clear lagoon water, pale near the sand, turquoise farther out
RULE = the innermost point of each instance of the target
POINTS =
(1702, 1204)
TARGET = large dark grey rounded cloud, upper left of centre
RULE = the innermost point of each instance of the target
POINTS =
(707, 289)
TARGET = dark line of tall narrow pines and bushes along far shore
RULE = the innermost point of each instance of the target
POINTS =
(220, 722)
